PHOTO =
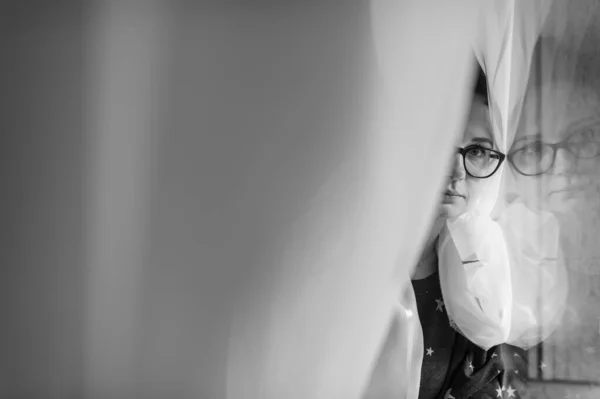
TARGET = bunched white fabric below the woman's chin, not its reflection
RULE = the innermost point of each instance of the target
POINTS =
(476, 279)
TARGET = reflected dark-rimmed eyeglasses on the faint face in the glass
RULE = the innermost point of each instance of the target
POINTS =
(537, 157)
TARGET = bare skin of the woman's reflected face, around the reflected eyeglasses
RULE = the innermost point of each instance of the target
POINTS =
(557, 112)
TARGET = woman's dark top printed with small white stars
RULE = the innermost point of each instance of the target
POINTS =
(453, 367)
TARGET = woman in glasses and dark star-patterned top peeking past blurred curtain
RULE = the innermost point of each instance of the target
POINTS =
(454, 366)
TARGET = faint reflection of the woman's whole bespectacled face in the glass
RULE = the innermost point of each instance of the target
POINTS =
(555, 152)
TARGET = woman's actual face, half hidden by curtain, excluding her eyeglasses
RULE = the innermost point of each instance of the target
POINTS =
(463, 192)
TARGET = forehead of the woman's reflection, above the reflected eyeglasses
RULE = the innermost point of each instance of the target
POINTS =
(555, 109)
